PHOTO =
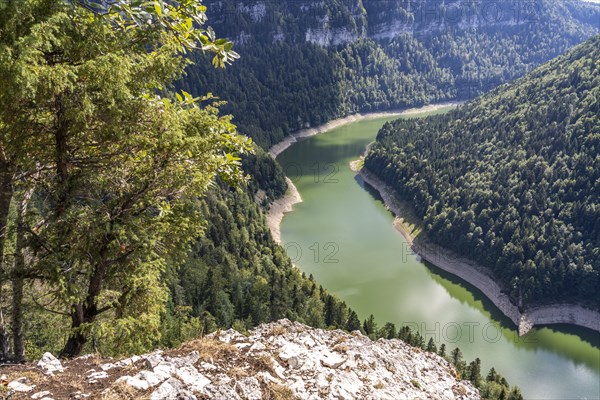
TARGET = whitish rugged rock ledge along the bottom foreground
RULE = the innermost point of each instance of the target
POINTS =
(281, 360)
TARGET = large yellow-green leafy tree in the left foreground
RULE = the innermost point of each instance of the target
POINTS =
(112, 168)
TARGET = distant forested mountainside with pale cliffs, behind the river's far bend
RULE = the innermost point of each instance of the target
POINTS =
(304, 63)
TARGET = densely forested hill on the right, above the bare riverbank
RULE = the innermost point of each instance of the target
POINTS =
(512, 179)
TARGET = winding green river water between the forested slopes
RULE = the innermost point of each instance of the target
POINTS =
(343, 235)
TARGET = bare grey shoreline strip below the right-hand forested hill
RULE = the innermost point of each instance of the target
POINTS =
(478, 276)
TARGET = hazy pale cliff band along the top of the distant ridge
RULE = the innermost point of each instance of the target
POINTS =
(338, 22)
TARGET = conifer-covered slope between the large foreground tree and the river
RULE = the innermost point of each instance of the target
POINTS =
(237, 273)
